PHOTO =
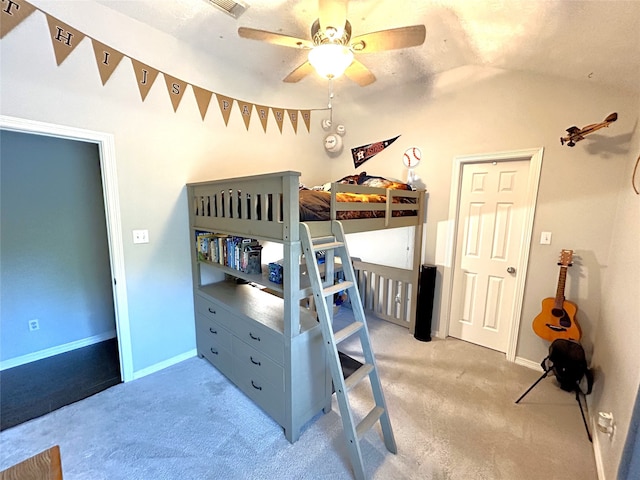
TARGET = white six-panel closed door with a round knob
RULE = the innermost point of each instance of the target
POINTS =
(488, 247)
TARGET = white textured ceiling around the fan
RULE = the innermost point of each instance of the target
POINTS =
(594, 41)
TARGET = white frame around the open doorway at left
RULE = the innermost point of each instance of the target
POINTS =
(108, 172)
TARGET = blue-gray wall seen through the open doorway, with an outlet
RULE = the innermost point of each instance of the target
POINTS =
(53, 246)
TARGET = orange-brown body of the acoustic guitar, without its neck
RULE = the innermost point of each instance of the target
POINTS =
(553, 323)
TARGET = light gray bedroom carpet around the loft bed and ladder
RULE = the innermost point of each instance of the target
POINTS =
(451, 405)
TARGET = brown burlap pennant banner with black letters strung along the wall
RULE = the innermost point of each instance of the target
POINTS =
(65, 39)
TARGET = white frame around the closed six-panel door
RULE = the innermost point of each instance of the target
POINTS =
(534, 157)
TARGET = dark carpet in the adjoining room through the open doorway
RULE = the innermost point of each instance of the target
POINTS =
(37, 388)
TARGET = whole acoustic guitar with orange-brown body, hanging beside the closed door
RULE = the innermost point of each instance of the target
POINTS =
(558, 316)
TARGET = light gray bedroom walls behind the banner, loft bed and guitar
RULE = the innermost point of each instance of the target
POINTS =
(470, 110)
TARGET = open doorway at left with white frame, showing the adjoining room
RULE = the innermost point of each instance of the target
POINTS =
(63, 261)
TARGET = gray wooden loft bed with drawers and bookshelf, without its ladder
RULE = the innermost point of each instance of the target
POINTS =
(271, 347)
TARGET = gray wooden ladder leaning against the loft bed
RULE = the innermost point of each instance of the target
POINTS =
(335, 245)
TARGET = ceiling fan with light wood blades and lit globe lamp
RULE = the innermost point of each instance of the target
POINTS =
(331, 48)
